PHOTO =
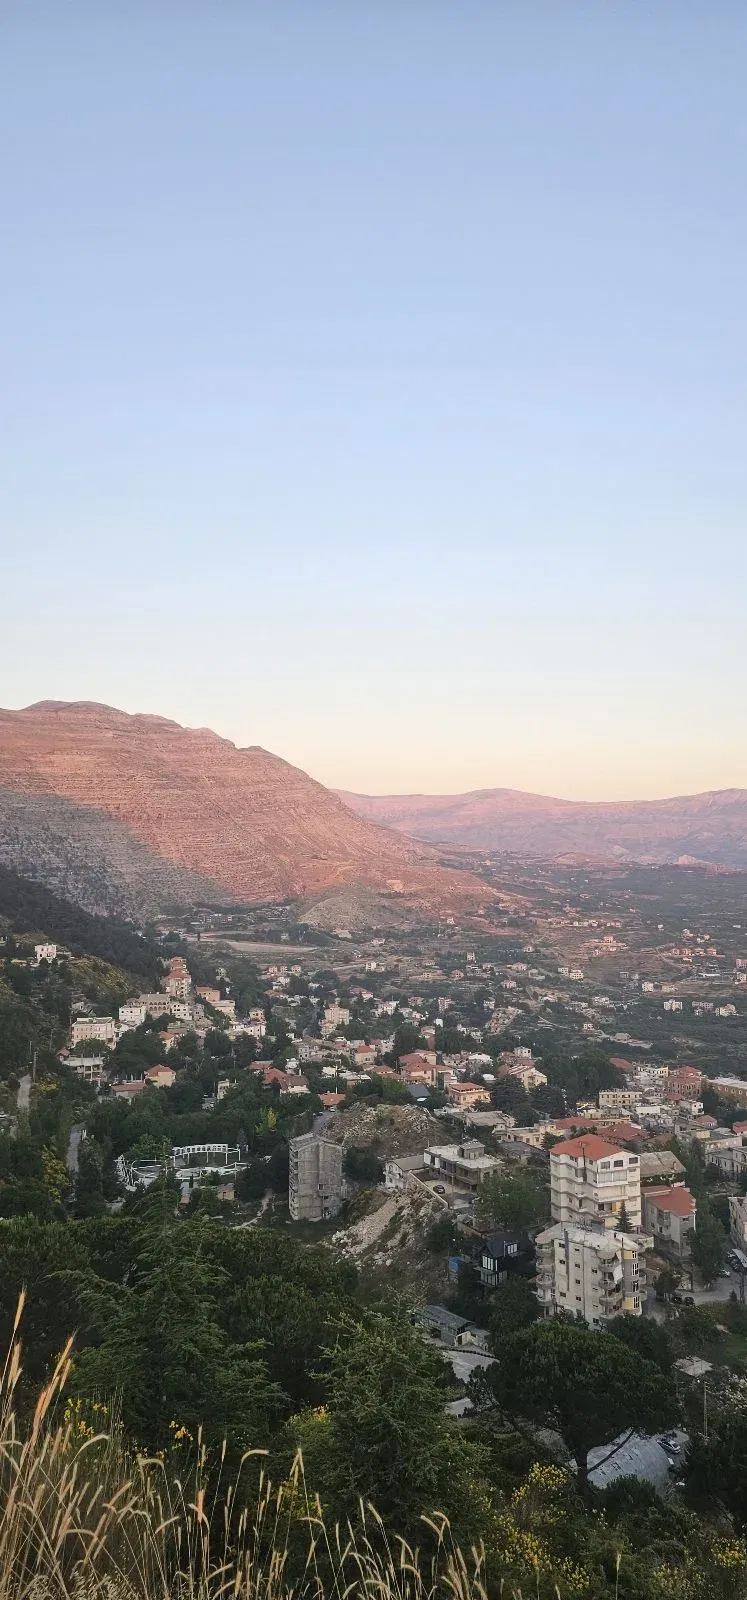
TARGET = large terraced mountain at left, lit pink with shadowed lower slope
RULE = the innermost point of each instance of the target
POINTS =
(130, 815)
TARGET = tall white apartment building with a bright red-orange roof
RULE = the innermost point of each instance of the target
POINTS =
(591, 1182)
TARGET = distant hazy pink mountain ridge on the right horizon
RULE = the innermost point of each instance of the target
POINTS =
(709, 828)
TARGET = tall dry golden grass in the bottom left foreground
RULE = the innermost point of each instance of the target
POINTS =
(86, 1519)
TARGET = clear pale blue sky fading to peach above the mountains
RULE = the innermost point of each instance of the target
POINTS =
(373, 382)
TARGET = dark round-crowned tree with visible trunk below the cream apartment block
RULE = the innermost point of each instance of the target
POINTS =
(581, 1383)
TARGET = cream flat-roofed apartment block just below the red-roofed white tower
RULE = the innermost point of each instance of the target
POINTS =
(594, 1273)
